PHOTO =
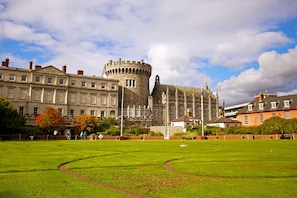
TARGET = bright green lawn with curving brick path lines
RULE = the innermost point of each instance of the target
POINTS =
(200, 169)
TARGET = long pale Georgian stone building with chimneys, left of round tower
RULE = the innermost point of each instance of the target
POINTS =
(32, 90)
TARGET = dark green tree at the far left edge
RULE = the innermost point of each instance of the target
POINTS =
(10, 119)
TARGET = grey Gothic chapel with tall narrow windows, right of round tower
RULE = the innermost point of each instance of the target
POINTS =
(169, 102)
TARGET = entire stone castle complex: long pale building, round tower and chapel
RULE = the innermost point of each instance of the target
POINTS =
(31, 91)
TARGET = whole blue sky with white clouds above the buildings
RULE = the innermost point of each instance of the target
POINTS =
(237, 48)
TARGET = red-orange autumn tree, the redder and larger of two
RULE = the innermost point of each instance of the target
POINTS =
(50, 120)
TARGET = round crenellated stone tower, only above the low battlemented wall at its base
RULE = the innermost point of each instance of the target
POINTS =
(134, 77)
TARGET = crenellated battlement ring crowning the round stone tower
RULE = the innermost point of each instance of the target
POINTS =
(125, 67)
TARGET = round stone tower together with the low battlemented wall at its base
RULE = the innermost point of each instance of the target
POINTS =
(134, 88)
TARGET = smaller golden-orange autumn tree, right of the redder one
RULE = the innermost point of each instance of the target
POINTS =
(85, 122)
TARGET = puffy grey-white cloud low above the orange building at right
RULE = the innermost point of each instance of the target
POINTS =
(277, 74)
